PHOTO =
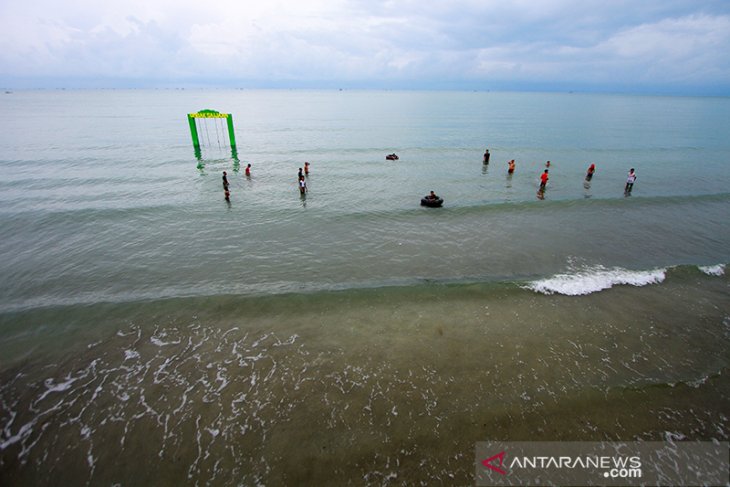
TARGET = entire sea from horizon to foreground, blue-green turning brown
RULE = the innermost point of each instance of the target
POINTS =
(153, 333)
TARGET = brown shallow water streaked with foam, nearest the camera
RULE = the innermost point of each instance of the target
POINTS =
(372, 386)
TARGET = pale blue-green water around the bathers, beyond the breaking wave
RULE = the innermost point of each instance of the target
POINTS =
(101, 199)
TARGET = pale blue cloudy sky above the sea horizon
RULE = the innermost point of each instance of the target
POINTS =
(643, 46)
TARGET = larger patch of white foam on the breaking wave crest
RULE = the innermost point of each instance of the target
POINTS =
(594, 279)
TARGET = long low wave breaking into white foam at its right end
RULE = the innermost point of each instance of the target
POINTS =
(581, 281)
